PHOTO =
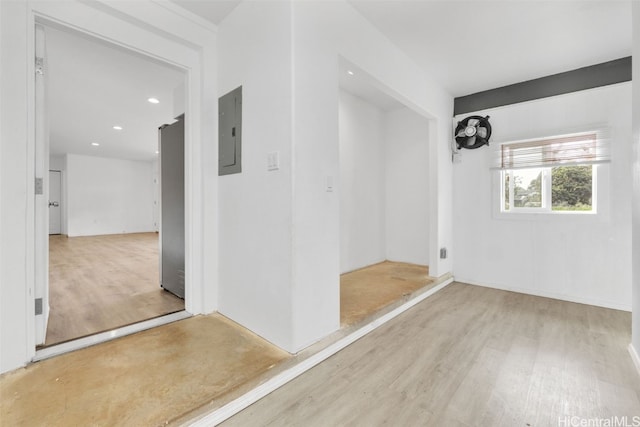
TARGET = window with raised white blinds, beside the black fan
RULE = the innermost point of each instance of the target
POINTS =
(551, 175)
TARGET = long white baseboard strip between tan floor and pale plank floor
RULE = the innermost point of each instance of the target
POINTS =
(219, 415)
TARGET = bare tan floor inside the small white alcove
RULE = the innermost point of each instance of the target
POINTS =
(366, 291)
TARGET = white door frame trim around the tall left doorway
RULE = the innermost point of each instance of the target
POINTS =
(140, 28)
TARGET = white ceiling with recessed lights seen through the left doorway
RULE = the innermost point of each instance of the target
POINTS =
(92, 86)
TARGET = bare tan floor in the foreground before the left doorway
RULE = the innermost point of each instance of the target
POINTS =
(146, 379)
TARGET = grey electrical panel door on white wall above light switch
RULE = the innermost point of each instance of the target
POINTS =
(230, 132)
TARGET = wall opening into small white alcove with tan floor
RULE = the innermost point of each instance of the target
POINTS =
(384, 197)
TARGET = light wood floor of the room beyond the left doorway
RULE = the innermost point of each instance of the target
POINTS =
(99, 283)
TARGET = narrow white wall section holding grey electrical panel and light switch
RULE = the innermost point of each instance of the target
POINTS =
(255, 205)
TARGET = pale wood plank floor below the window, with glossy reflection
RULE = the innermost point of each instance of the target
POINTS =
(469, 356)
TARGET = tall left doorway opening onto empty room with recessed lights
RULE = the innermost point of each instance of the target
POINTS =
(101, 107)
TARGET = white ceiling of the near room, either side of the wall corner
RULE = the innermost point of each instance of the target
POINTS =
(475, 45)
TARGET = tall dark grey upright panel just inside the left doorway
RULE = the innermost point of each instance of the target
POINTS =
(172, 276)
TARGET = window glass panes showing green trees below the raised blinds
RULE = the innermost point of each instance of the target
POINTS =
(571, 188)
